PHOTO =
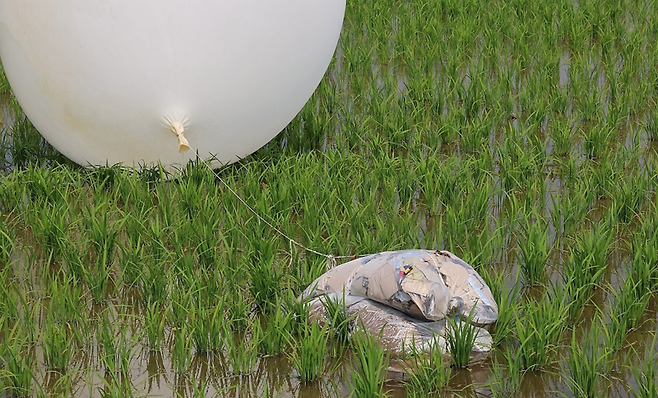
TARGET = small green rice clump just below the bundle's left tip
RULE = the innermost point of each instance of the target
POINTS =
(309, 356)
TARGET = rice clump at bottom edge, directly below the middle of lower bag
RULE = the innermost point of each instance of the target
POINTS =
(427, 371)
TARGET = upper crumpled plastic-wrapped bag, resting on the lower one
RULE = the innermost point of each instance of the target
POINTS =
(424, 284)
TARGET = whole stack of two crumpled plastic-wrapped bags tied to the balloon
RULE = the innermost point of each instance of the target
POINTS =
(409, 294)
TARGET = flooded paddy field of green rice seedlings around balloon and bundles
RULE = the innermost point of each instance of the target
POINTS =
(521, 136)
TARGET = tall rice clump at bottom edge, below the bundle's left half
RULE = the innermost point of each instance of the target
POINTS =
(369, 371)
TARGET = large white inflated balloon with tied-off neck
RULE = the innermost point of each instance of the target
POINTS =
(129, 81)
